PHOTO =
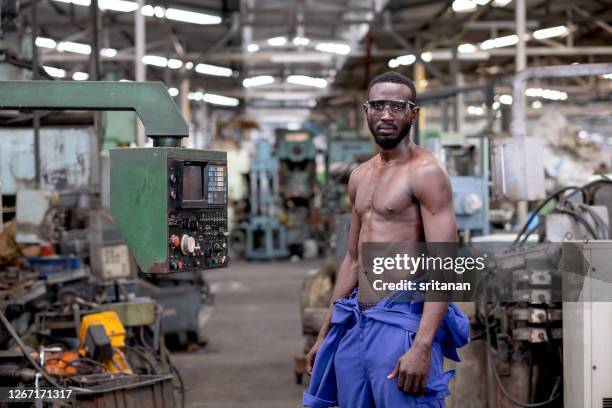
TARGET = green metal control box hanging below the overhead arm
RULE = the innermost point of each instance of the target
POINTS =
(170, 205)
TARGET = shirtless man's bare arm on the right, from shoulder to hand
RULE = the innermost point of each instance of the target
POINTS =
(431, 187)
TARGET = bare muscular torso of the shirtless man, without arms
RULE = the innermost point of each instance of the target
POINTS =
(387, 208)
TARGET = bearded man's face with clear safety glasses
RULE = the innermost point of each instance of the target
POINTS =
(389, 127)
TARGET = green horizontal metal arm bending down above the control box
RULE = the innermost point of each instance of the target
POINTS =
(150, 100)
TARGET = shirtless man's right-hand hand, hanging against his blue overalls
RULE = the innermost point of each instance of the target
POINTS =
(412, 369)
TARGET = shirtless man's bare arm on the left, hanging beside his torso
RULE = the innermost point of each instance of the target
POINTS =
(347, 275)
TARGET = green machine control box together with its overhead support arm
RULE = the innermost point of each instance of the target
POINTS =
(169, 203)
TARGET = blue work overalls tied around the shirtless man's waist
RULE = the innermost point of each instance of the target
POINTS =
(362, 348)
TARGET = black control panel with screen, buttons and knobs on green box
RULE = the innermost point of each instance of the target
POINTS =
(197, 216)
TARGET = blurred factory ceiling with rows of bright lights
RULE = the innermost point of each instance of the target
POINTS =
(296, 51)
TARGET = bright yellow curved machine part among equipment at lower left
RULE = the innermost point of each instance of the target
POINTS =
(116, 333)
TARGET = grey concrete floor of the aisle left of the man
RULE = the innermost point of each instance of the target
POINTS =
(253, 334)
